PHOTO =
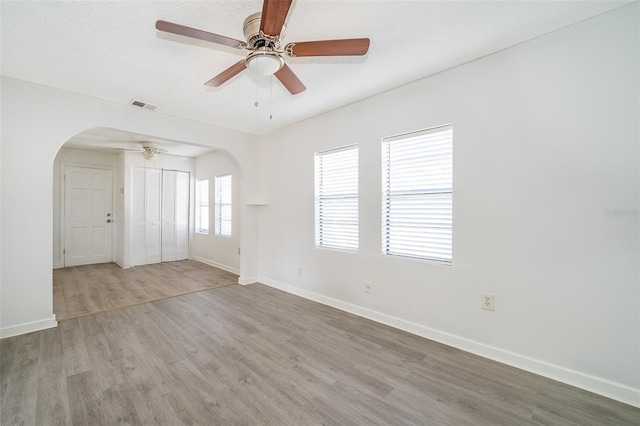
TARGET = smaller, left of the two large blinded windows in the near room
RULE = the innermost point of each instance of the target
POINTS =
(336, 198)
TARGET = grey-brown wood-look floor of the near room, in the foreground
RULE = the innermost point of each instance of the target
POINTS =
(252, 355)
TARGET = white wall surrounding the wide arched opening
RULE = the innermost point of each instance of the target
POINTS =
(36, 121)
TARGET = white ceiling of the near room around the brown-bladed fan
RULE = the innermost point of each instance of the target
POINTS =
(111, 50)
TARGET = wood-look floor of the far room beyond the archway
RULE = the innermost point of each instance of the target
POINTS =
(83, 290)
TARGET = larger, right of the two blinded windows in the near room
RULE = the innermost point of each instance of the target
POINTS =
(417, 212)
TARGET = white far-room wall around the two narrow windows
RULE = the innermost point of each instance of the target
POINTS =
(217, 250)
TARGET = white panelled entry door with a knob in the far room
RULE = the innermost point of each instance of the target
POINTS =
(87, 216)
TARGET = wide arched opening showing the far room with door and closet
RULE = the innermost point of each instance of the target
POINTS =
(136, 182)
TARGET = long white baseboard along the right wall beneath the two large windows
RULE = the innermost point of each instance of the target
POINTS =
(598, 385)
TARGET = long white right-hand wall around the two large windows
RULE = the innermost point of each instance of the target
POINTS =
(546, 140)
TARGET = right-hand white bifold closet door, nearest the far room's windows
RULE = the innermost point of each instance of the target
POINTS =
(175, 215)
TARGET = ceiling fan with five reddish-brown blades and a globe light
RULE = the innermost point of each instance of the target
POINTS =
(264, 32)
